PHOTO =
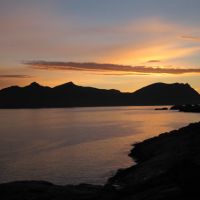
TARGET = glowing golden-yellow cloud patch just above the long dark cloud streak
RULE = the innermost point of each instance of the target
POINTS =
(160, 50)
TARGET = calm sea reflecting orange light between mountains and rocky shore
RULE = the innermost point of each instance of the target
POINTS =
(75, 145)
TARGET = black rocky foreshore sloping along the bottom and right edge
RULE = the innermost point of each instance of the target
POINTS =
(168, 168)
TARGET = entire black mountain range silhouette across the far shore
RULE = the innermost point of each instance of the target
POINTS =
(72, 95)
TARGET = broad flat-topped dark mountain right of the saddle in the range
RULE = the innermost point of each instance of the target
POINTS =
(166, 94)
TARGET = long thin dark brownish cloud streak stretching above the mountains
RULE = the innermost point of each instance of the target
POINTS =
(68, 66)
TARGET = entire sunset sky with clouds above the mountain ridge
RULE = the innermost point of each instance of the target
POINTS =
(106, 44)
